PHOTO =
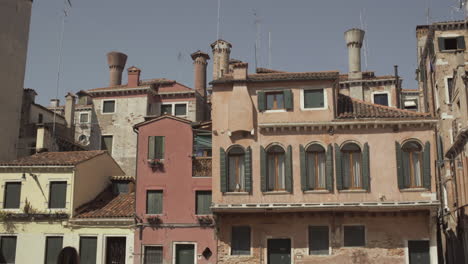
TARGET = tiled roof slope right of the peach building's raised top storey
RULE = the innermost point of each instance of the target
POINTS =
(350, 108)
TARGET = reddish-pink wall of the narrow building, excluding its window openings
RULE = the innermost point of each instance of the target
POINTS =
(179, 221)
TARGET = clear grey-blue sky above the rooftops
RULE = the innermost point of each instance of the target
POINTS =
(159, 35)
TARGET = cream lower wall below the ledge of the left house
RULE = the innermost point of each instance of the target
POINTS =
(31, 237)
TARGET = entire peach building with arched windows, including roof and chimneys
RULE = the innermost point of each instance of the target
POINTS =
(305, 172)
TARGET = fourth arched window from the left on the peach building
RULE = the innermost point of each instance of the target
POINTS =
(351, 166)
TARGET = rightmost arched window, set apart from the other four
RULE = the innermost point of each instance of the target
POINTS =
(412, 157)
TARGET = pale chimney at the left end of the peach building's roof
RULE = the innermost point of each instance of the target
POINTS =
(221, 51)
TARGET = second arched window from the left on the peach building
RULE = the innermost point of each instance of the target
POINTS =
(275, 168)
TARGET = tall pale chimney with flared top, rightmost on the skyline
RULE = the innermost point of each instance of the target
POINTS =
(354, 38)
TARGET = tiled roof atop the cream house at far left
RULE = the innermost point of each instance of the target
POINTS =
(66, 158)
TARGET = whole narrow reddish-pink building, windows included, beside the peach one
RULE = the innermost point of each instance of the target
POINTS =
(173, 193)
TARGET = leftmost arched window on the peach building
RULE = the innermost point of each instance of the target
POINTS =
(236, 176)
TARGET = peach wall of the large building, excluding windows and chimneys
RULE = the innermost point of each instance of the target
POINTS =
(392, 216)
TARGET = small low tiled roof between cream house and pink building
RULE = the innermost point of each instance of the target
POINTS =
(108, 205)
